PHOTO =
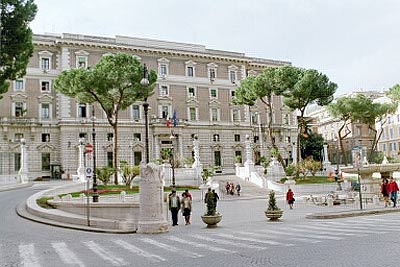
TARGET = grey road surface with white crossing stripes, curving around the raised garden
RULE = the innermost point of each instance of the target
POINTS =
(243, 238)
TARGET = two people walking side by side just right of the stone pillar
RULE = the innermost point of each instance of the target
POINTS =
(184, 204)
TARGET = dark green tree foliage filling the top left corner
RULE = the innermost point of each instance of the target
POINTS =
(16, 46)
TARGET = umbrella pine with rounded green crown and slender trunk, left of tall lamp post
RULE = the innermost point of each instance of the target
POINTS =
(113, 83)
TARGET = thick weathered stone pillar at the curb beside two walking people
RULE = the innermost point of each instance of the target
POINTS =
(151, 218)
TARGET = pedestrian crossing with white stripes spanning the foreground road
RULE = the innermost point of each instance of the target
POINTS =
(116, 250)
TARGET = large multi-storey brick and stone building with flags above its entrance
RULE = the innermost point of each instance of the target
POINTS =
(195, 83)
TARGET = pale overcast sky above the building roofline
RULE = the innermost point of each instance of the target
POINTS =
(356, 43)
